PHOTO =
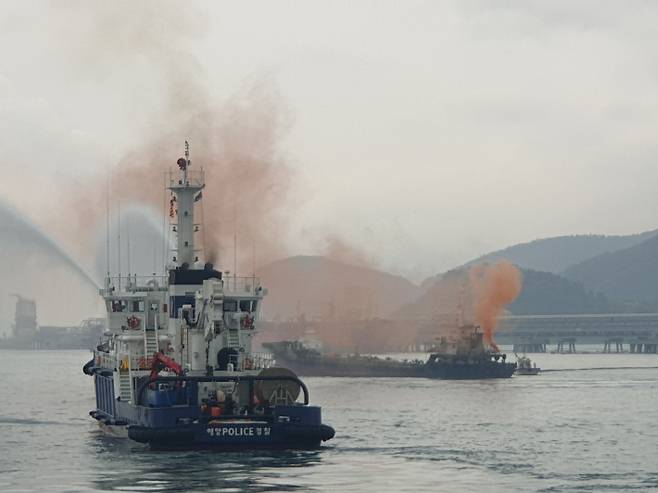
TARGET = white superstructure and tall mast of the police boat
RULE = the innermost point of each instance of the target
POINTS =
(195, 315)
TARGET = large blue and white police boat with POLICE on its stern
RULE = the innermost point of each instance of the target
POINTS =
(175, 368)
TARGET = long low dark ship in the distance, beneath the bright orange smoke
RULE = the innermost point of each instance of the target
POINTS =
(465, 358)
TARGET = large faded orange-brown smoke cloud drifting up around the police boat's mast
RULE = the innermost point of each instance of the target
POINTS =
(238, 141)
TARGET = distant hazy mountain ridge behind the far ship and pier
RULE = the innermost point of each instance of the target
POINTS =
(566, 274)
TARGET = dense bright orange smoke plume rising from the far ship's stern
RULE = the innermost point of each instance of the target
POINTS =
(494, 286)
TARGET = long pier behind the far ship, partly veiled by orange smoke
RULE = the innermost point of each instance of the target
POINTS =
(614, 333)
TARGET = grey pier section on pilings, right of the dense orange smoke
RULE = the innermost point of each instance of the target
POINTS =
(635, 332)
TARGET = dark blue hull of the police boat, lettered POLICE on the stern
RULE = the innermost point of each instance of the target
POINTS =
(181, 424)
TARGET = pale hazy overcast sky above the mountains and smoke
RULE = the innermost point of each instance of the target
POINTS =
(422, 133)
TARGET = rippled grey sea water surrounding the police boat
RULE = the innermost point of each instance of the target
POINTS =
(580, 429)
